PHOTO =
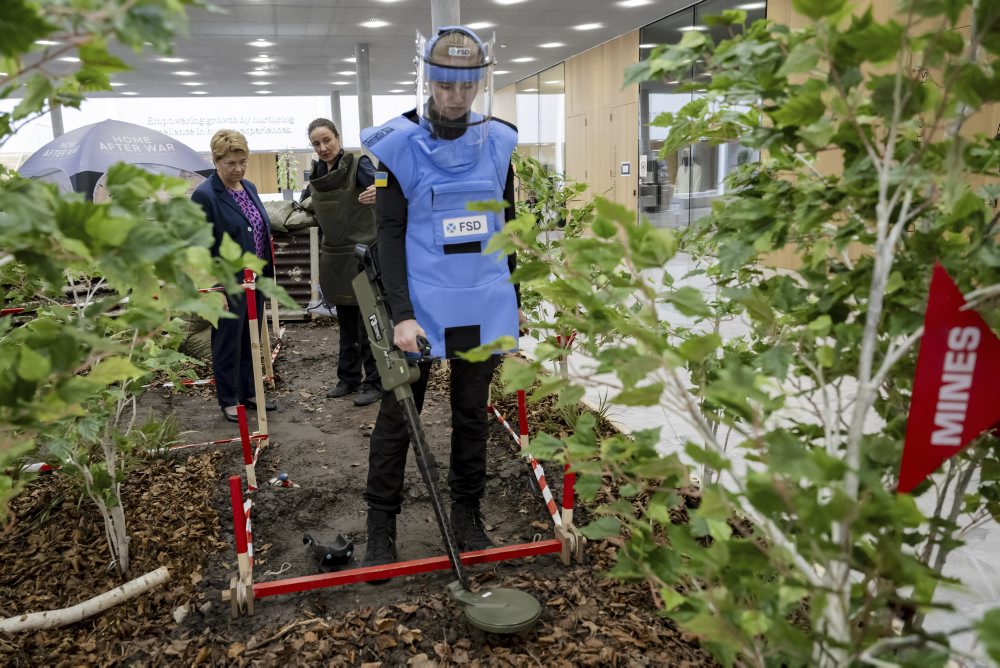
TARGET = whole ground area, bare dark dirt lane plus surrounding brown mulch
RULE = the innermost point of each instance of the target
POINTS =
(53, 554)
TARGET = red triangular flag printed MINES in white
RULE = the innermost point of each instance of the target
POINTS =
(956, 386)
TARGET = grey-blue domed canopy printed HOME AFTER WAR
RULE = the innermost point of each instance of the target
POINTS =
(78, 160)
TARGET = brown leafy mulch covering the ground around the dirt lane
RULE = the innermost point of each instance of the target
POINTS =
(54, 555)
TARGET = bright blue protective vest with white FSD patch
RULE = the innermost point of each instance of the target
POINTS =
(461, 297)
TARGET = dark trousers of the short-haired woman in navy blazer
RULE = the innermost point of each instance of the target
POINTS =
(232, 361)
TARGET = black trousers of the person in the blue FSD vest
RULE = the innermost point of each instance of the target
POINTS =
(469, 390)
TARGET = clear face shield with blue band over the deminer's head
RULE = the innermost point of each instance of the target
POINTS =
(454, 81)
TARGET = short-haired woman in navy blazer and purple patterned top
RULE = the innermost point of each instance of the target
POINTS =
(232, 207)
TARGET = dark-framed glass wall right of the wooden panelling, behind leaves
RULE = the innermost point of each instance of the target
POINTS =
(677, 189)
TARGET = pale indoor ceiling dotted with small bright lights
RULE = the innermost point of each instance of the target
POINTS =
(309, 45)
